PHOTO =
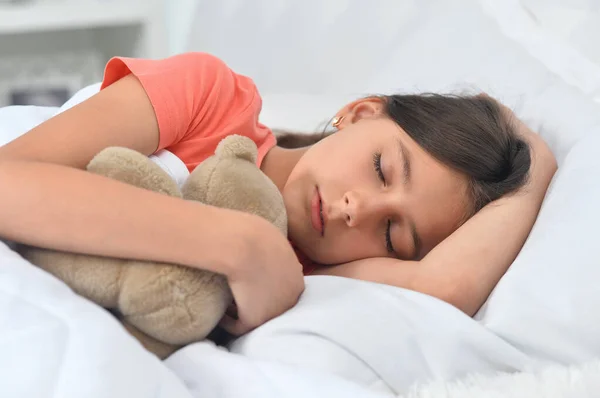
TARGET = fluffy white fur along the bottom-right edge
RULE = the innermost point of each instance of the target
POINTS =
(555, 381)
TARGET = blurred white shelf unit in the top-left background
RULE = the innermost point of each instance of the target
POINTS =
(51, 48)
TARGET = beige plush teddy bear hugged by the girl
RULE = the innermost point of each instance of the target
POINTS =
(166, 306)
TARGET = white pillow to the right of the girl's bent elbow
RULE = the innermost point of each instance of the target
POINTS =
(547, 303)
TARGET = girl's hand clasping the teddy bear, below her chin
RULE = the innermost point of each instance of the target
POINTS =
(267, 279)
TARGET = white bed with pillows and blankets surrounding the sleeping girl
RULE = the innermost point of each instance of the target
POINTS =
(535, 336)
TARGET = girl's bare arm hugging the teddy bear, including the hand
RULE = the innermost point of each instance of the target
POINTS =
(47, 200)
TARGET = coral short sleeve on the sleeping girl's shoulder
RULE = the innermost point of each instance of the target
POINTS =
(198, 100)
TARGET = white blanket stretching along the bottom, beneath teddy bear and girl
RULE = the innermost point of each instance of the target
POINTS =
(55, 343)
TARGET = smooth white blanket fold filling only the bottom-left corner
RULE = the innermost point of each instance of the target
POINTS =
(56, 344)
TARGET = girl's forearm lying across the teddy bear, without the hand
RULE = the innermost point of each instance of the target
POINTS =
(68, 209)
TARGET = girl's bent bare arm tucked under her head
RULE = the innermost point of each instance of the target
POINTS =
(464, 268)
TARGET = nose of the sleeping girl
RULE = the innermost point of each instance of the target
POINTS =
(357, 207)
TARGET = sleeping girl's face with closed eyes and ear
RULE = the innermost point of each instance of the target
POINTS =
(370, 191)
